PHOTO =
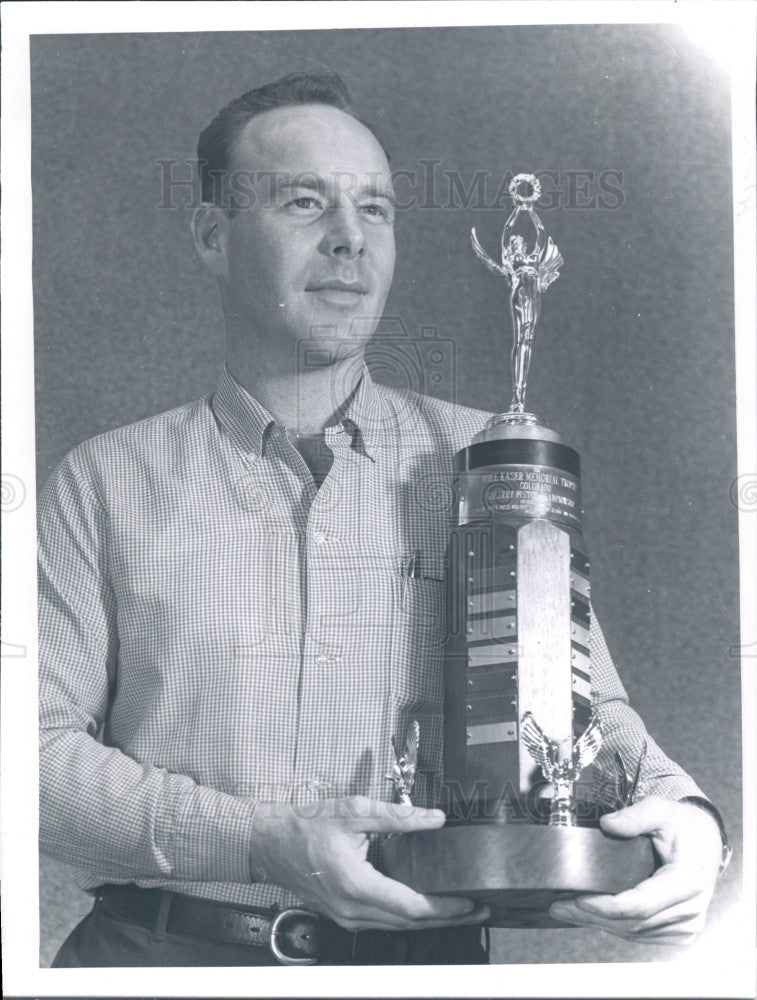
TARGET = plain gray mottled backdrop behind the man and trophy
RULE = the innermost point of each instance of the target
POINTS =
(634, 358)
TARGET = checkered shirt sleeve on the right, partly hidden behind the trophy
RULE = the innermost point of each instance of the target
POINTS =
(623, 730)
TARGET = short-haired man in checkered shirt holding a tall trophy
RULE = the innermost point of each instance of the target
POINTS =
(228, 642)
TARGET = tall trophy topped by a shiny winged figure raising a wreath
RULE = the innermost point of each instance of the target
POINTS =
(519, 724)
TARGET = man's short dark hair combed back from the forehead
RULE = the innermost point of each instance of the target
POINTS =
(215, 149)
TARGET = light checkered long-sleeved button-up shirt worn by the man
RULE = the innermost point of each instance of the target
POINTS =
(217, 635)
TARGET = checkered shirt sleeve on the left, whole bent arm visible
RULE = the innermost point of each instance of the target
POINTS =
(100, 809)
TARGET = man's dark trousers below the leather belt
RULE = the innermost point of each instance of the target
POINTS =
(102, 940)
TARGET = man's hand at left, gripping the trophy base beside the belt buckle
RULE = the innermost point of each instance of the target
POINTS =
(324, 861)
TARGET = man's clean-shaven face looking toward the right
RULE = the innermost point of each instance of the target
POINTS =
(315, 251)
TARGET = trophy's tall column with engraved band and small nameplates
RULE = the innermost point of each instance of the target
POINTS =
(519, 612)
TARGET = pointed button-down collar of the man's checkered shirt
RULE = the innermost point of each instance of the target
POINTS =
(248, 423)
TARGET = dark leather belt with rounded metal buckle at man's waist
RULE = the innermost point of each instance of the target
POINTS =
(294, 936)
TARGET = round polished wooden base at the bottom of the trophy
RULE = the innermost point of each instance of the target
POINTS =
(519, 869)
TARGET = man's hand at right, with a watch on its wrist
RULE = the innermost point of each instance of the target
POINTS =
(669, 907)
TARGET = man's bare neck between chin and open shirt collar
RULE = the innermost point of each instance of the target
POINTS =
(306, 401)
